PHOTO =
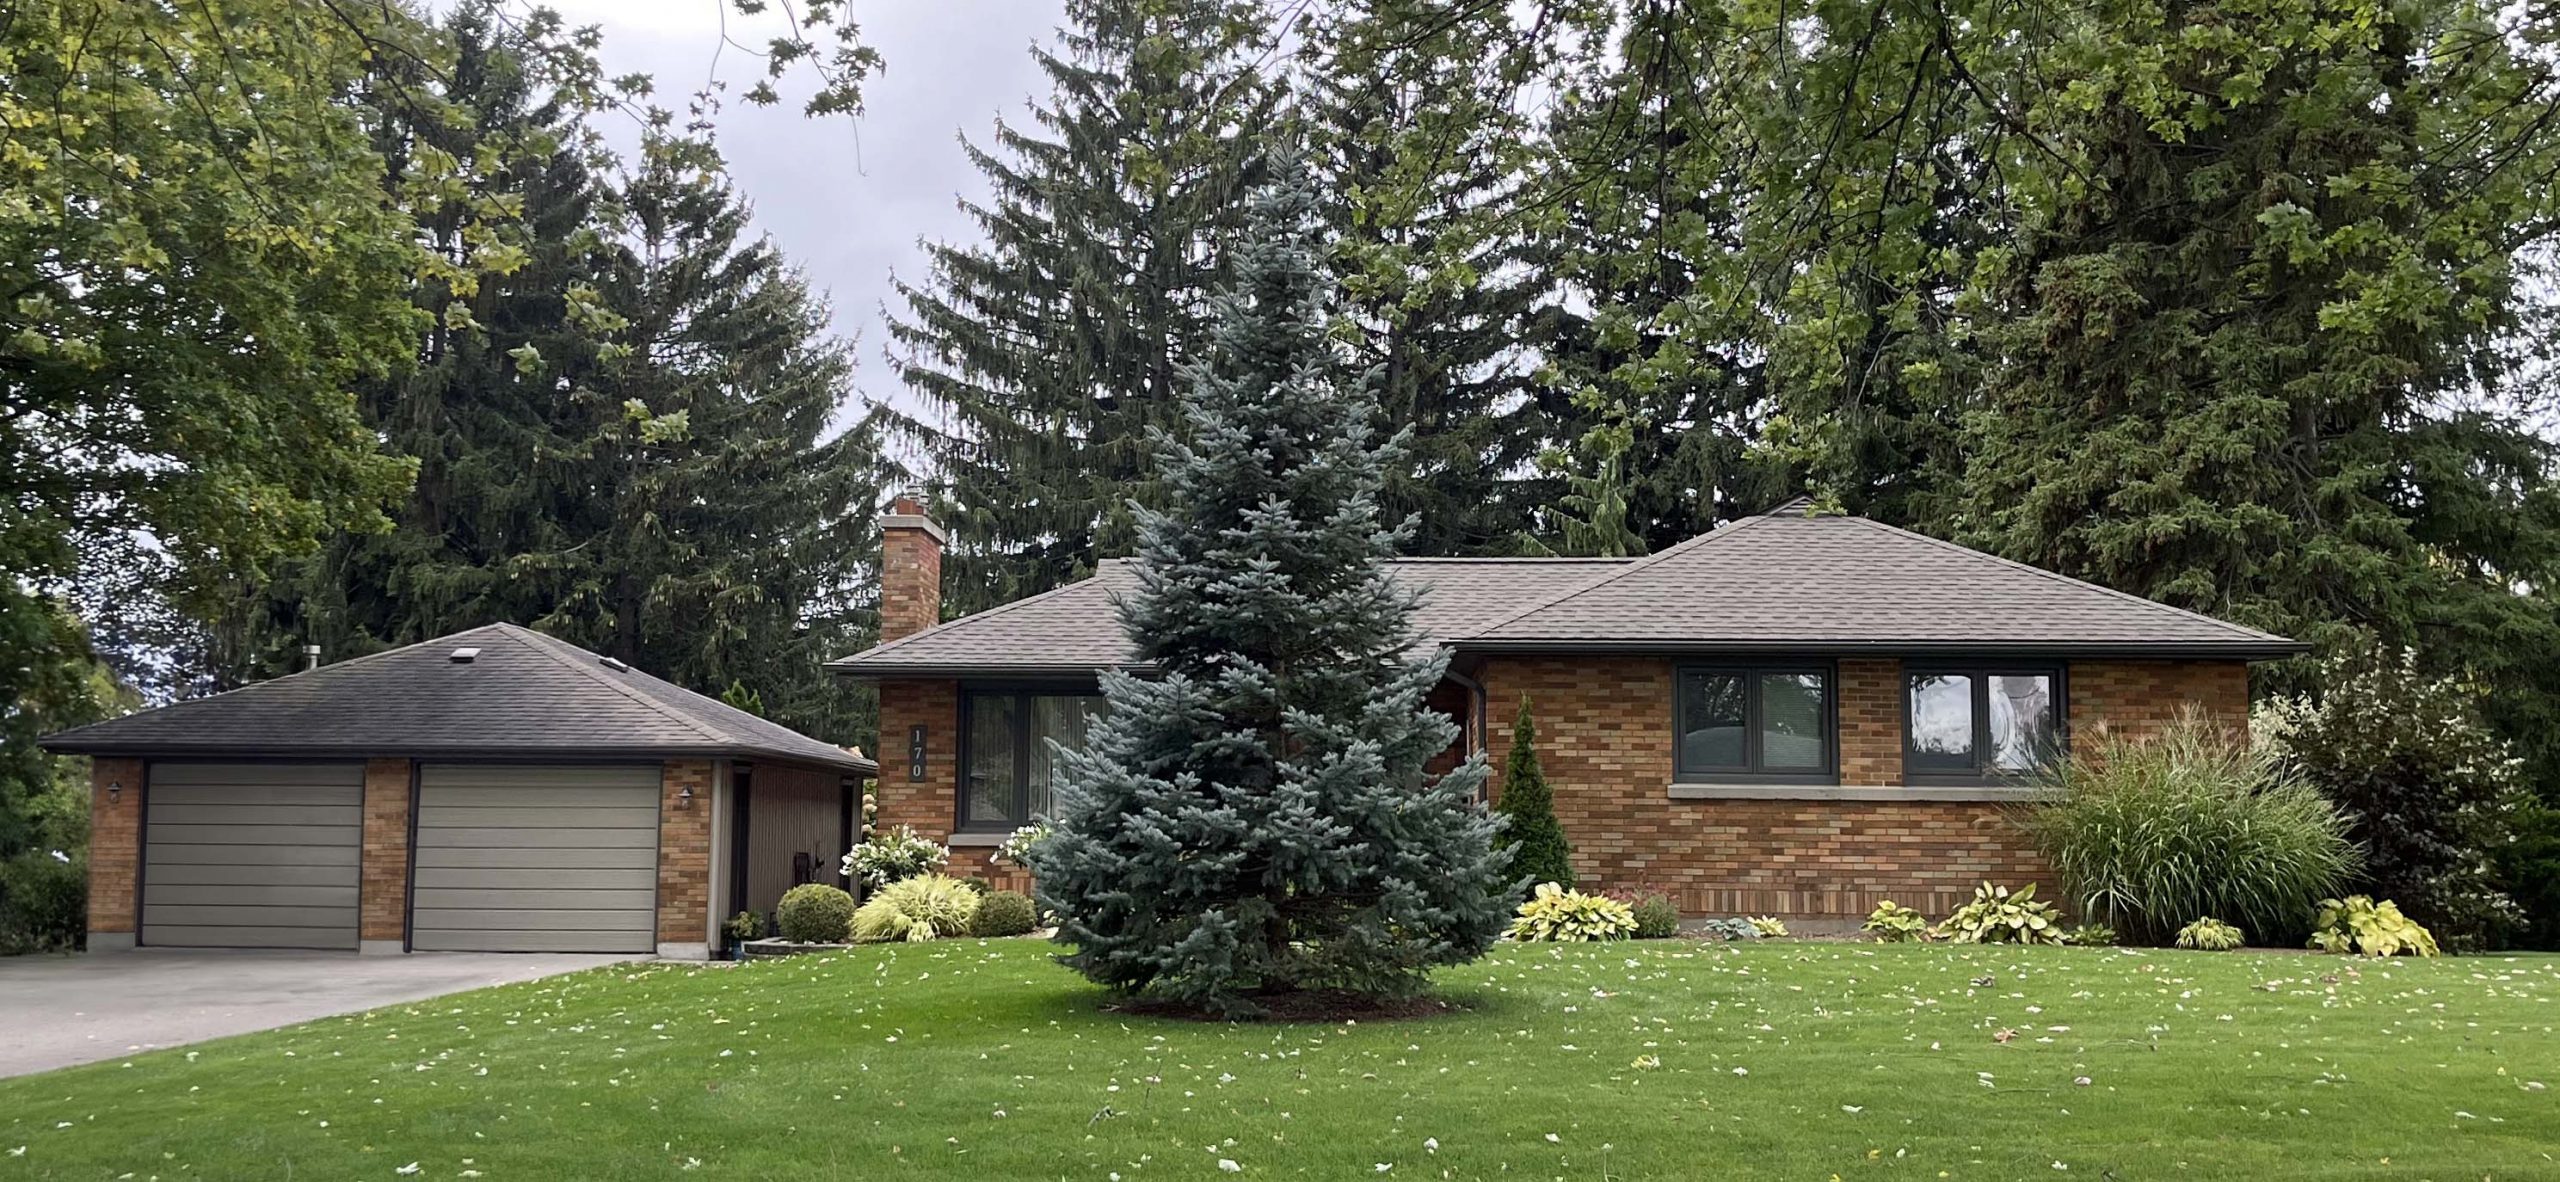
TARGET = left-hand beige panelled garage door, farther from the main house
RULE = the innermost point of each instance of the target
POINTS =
(252, 856)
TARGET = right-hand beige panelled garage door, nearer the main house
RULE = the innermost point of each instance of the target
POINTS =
(536, 861)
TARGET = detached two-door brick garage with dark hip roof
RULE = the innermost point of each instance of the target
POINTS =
(485, 792)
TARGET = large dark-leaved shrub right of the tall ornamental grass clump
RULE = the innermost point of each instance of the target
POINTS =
(2428, 792)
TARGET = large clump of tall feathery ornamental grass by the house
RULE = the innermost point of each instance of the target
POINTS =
(2149, 835)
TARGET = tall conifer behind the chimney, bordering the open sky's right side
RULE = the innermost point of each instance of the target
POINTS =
(1053, 349)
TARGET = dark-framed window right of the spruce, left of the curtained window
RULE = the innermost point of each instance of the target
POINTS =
(1755, 723)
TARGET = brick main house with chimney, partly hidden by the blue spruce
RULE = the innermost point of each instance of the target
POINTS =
(1788, 715)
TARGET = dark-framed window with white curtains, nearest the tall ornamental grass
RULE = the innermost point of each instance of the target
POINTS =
(1980, 723)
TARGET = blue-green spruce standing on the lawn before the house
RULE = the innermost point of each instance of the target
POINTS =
(1253, 815)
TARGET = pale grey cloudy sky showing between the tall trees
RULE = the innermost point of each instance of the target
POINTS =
(851, 201)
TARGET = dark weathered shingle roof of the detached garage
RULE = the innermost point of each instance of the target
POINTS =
(521, 697)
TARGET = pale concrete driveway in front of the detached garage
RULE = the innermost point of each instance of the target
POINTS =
(65, 1012)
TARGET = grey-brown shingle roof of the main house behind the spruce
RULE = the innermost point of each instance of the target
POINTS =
(1778, 582)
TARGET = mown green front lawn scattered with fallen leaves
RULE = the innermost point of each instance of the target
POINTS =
(984, 1060)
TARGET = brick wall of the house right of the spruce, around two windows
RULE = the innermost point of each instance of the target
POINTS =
(1606, 746)
